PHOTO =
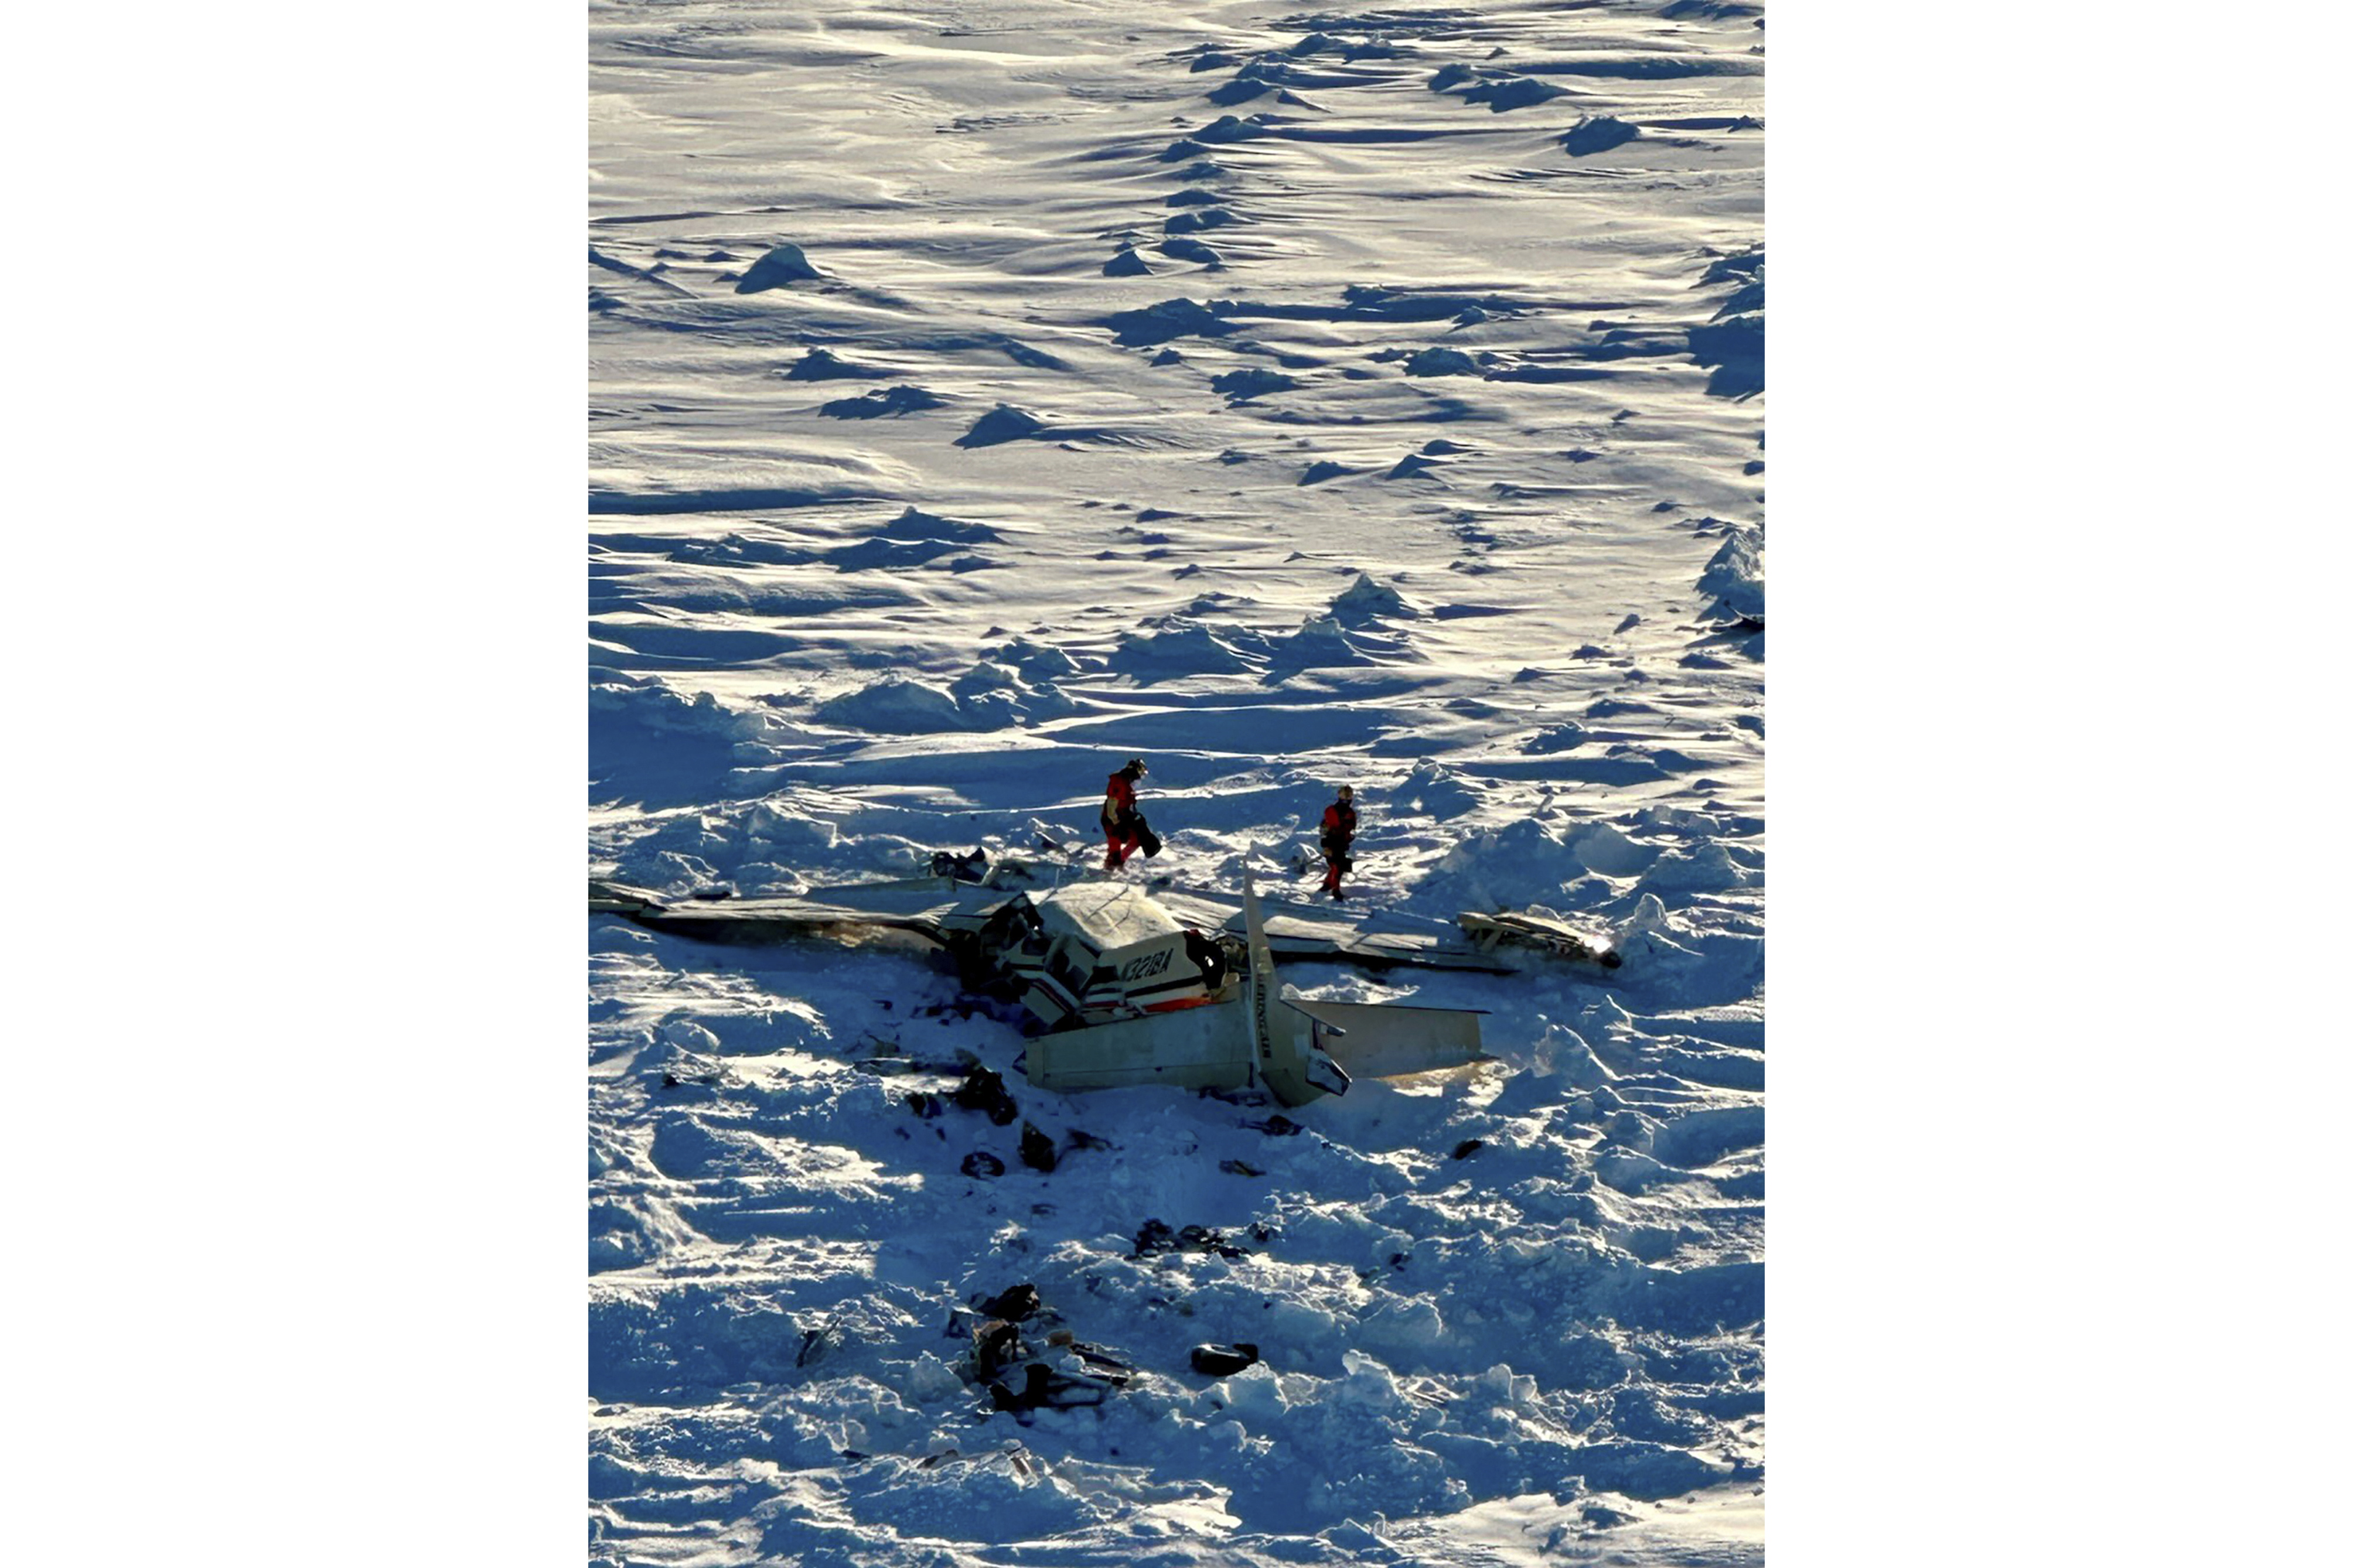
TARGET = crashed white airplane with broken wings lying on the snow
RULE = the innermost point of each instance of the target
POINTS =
(1154, 989)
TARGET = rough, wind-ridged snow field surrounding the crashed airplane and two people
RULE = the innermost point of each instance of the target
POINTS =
(987, 391)
